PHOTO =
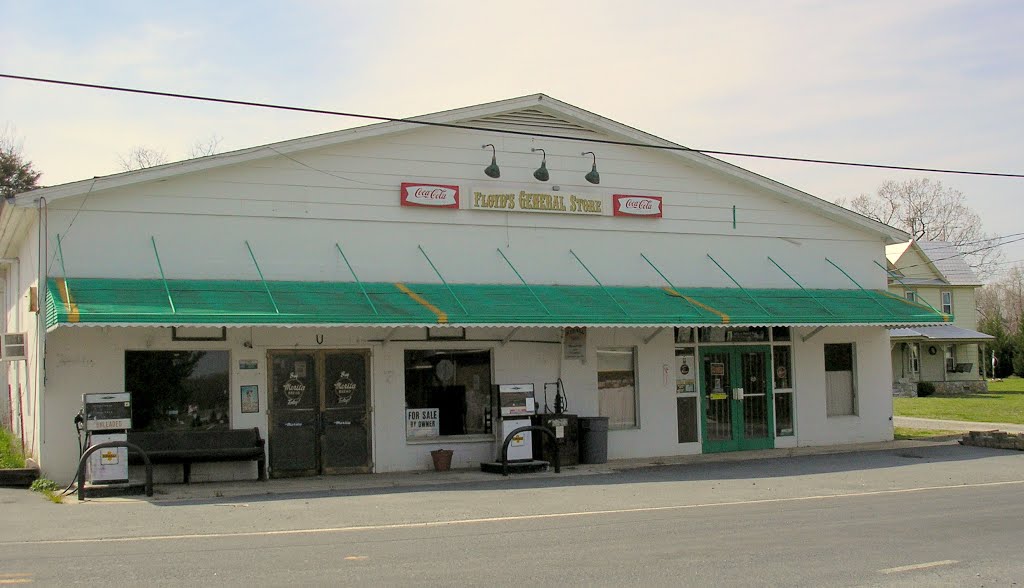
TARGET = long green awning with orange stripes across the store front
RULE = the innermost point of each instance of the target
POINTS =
(222, 303)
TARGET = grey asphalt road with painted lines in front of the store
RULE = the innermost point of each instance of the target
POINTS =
(947, 516)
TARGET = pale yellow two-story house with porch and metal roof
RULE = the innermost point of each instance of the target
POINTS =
(934, 274)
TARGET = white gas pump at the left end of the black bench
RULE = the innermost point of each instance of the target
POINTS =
(108, 418)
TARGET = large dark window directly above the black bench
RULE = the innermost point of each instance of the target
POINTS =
(179, 390)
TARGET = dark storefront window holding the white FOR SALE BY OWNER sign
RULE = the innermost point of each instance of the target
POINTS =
(456, 384)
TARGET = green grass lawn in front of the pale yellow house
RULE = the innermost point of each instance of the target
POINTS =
(1003, 404)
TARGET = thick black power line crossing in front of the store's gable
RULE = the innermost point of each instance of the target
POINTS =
(500, 132)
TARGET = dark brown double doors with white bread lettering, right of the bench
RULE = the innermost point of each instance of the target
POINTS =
(320, 412)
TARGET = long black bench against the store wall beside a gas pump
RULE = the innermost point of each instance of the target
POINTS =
(195, 446)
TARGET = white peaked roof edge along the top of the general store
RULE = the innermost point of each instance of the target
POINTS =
(535, 115)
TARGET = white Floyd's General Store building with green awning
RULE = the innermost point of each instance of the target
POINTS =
(368, 273)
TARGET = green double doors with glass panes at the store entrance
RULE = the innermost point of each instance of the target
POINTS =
(736, 399)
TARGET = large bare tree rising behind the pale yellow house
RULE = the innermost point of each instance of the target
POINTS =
(931, 212)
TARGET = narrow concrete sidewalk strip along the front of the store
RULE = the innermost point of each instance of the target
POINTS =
(365, 483)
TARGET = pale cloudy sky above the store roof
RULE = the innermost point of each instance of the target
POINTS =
(931, 83)
